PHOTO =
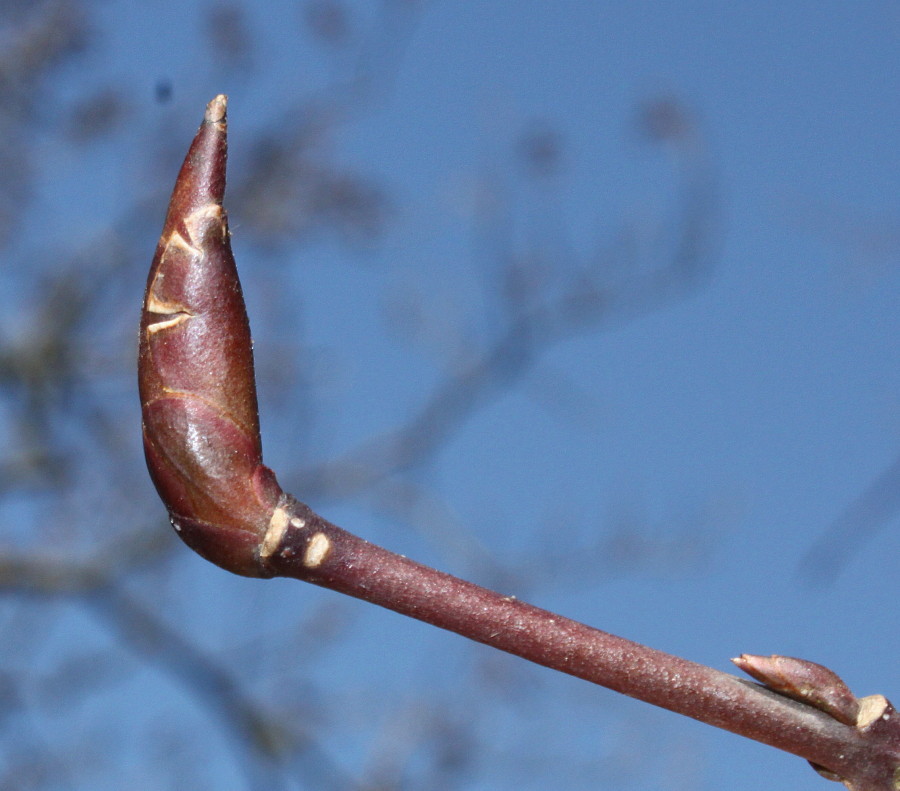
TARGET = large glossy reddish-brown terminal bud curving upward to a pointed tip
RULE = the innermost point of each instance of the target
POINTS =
(195, 370)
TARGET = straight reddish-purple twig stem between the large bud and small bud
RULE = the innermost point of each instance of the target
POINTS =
(307, 547)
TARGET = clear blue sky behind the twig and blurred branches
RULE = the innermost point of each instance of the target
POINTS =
(730, 427)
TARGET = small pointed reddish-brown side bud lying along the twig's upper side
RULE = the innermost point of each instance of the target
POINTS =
(805, 681)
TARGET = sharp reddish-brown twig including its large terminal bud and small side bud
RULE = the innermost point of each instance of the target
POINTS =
(202, 440)
